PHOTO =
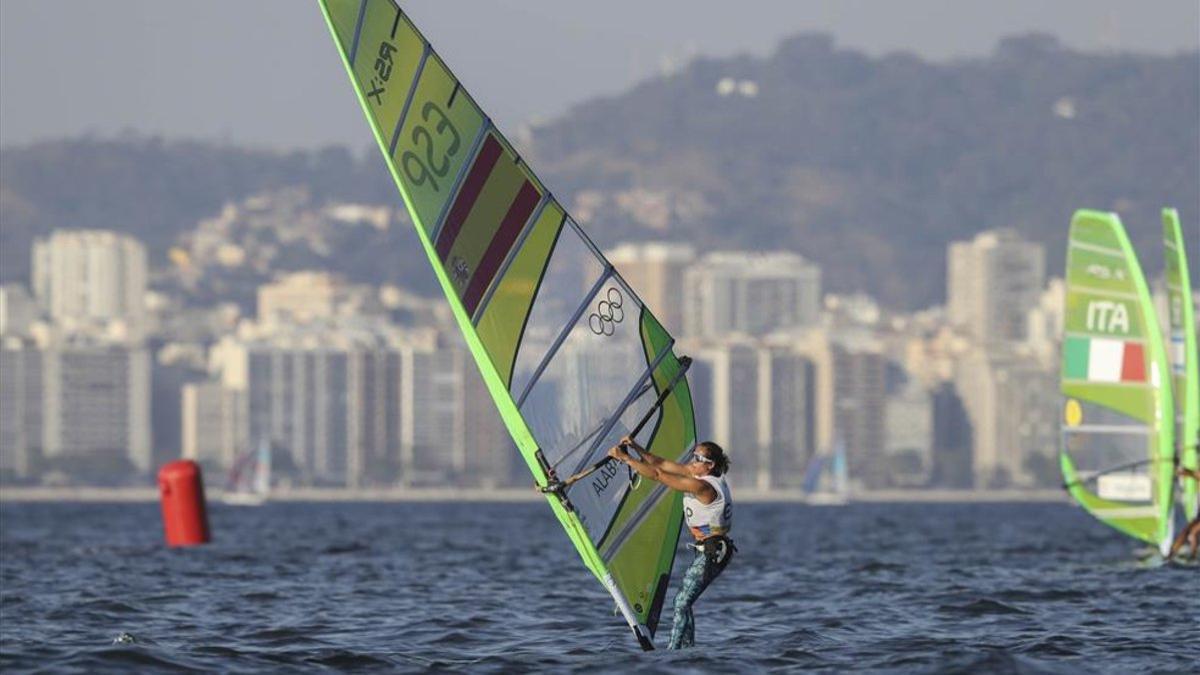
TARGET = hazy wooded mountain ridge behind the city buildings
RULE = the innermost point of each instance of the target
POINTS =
(867, 165)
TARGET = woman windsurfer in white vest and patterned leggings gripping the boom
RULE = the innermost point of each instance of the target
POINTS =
(709, 511)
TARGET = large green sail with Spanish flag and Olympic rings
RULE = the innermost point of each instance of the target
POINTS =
(568, 351)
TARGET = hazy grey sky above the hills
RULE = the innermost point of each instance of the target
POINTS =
(266, 73)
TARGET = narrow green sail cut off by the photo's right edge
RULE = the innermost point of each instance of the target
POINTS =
(1183, 348)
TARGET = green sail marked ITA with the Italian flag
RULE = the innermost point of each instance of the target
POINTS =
(1118, 450)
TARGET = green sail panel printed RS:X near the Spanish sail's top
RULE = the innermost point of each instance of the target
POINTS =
(386, 61)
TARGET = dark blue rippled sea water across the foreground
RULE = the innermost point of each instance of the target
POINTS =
(499, 588)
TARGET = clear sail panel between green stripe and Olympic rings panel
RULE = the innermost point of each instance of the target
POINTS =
(571, 274)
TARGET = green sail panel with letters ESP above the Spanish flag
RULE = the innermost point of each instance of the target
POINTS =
(435, 142)
